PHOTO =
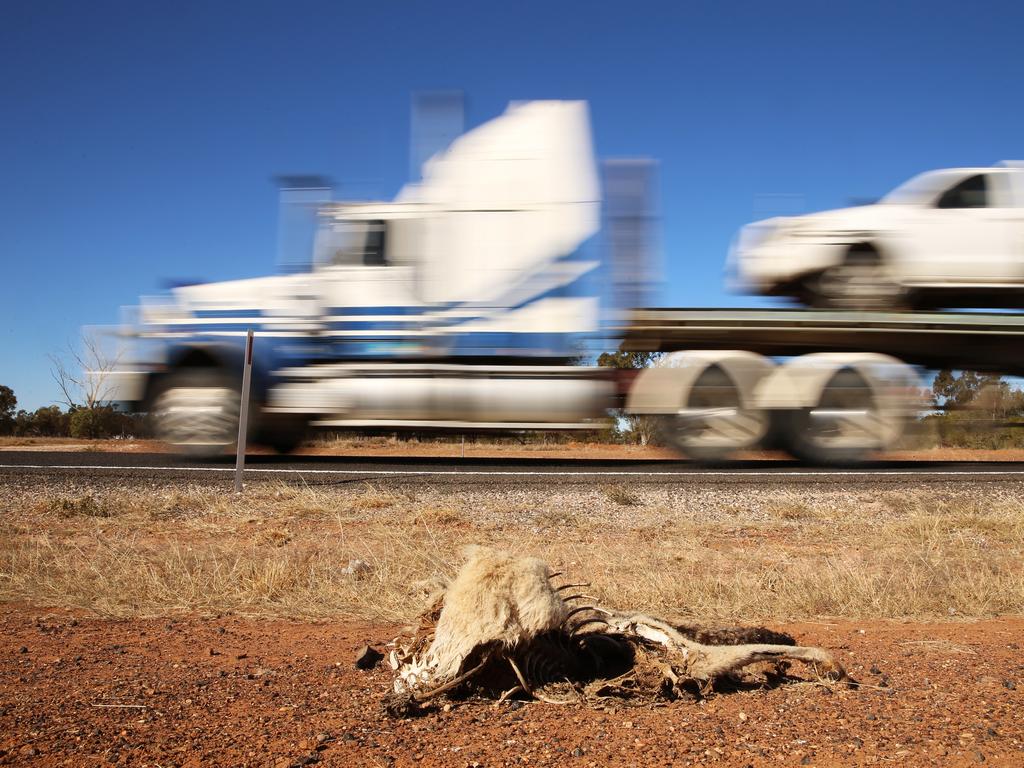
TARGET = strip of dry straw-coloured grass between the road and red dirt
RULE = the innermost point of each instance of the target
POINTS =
(280, 550)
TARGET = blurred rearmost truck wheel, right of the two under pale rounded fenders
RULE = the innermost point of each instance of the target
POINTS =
(844, 429)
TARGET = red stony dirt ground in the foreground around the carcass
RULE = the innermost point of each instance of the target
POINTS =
(83, 692)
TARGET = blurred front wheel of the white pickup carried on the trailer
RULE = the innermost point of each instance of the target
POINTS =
(860, 282)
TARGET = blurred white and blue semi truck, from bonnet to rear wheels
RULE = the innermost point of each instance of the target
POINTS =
(468, 304)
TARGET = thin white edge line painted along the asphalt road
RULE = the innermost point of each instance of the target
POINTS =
(553, 474)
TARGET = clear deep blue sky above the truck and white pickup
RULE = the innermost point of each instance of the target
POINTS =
(138, 139)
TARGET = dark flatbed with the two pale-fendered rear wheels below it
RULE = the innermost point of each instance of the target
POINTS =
(829, 387)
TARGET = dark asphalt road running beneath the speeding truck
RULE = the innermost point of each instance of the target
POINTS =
(149, 468)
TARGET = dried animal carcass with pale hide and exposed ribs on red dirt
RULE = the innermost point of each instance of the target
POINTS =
(504, 628)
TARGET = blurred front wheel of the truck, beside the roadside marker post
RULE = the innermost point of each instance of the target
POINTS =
(196, 411)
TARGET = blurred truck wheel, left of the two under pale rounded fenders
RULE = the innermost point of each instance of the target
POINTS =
(713, 422)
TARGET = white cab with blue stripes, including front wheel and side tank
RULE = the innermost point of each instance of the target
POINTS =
(457, 306)
